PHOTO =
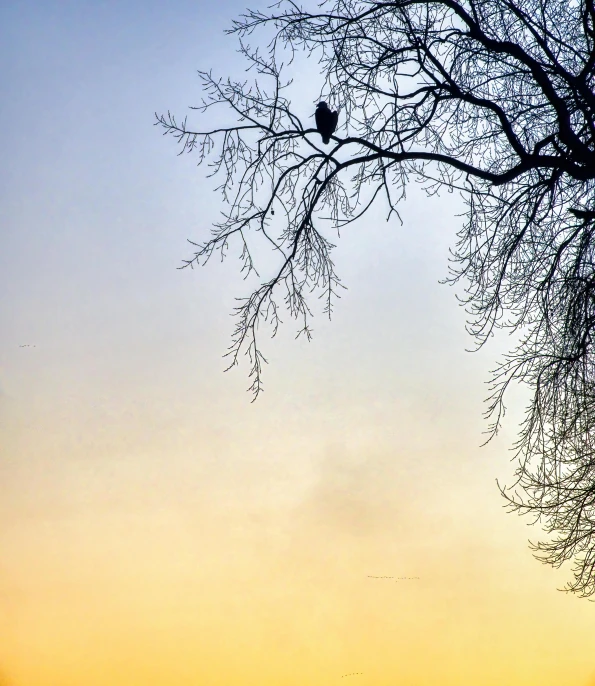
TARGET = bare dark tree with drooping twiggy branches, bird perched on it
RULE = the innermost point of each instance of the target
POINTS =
(491, 98)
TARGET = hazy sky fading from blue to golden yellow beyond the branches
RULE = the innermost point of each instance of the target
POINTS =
(156, 527)
